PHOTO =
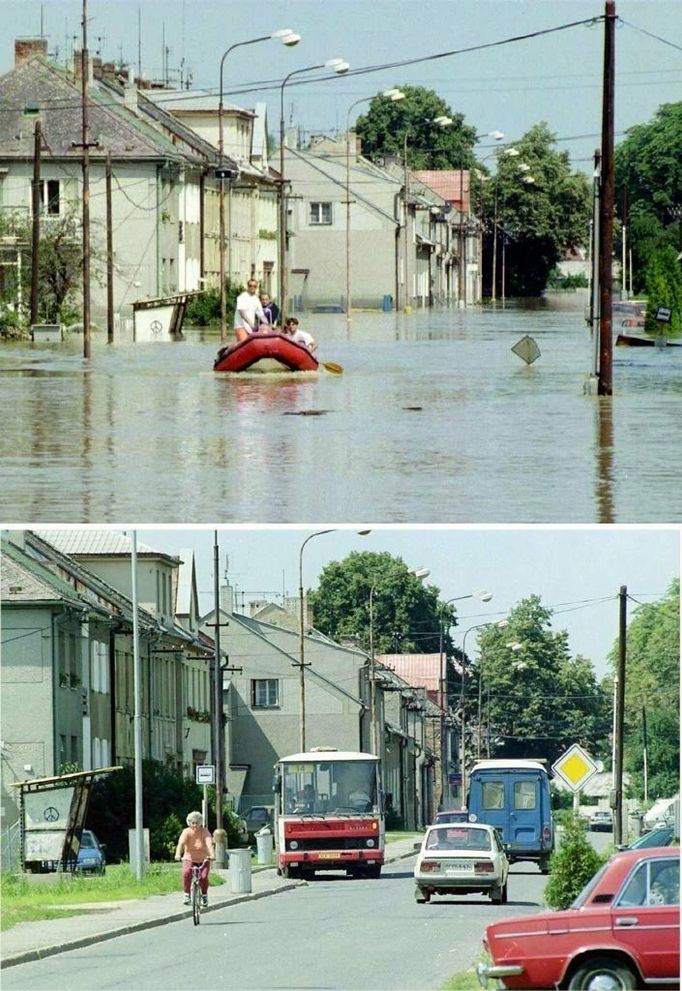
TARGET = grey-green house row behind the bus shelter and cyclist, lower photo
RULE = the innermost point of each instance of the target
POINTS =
(67, 658)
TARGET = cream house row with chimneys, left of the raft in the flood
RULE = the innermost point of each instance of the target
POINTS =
(165, 196)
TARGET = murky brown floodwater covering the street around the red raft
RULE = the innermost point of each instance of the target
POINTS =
(434, 420)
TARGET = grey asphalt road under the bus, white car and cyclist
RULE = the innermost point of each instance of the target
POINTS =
(334, 933)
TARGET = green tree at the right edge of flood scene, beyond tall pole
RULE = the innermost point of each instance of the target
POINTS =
(648, 166)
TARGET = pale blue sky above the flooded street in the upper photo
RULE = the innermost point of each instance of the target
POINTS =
(510, 87)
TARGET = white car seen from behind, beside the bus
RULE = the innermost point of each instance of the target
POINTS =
(461, 859)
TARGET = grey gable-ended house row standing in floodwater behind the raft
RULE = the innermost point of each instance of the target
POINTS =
(391, 236)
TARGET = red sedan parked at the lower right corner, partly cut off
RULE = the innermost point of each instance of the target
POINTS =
(622, 932)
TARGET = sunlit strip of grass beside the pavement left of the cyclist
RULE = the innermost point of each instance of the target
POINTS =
(23, 901)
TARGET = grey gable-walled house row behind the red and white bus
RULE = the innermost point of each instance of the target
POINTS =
(264, 712)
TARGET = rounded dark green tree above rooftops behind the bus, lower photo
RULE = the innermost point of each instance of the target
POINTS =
(406, 613)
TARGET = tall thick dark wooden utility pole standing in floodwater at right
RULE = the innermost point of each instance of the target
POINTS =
(605, 380)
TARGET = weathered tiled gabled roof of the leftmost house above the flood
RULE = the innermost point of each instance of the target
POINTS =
(40, 84)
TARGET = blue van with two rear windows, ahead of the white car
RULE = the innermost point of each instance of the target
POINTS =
(513, 796)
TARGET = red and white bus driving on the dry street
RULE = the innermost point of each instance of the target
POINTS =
(329, 813)
